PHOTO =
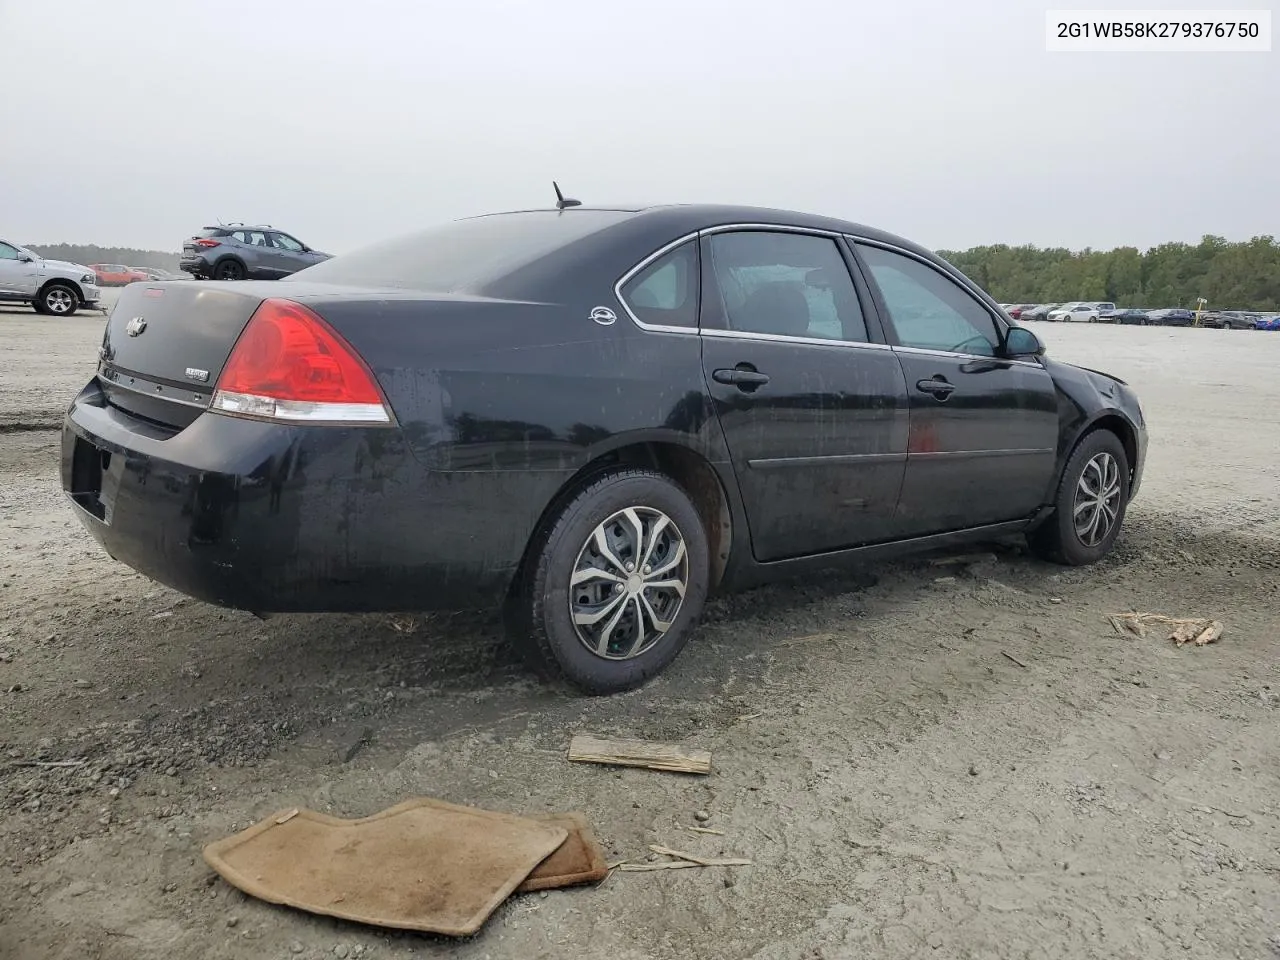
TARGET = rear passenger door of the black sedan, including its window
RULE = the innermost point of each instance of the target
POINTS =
(812, 401)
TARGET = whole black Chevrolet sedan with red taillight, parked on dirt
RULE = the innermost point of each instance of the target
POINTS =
(592, 417)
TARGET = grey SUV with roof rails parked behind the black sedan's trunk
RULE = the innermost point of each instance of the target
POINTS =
(239, 253)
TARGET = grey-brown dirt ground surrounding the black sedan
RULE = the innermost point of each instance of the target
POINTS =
(922, 760)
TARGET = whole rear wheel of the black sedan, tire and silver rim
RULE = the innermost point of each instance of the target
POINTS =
(615, 584)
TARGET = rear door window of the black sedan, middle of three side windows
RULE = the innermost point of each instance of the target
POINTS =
(788, 285)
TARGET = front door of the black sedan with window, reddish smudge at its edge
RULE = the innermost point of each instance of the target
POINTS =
(984, 428)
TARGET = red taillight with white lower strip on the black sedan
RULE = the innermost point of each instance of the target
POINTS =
(289, 364)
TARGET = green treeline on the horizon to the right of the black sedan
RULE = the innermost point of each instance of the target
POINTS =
(1229, 276)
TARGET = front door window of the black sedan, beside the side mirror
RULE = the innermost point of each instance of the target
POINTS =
(927, 309)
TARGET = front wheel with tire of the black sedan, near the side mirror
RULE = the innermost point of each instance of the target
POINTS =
(1090, 506)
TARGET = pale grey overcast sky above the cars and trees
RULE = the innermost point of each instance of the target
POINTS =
(138, 122)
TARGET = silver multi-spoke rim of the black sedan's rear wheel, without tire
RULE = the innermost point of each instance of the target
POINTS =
(629, 583)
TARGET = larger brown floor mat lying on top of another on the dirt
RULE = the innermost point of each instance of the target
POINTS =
(422, 866)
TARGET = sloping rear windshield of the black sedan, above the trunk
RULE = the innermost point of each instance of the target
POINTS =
(463, 255)
